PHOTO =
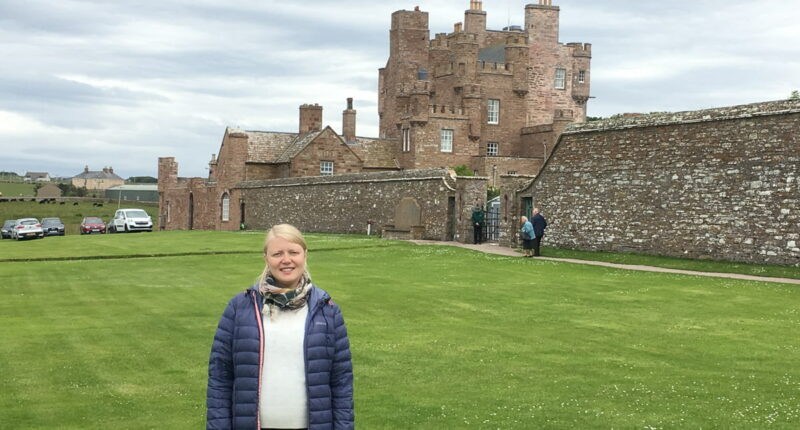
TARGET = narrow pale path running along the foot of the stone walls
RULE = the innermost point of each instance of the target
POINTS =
(492, 248)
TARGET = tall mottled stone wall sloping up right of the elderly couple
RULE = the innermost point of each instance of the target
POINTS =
(713, 184)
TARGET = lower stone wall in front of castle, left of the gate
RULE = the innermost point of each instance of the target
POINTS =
(347, 203)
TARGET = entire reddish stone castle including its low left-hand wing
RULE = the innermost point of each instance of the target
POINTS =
(493, 100)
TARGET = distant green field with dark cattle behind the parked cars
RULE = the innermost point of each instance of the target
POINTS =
(71, 214)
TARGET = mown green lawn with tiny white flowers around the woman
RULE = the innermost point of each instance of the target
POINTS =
(442, 337)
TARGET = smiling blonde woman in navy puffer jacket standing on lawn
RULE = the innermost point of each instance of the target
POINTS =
(281, 357)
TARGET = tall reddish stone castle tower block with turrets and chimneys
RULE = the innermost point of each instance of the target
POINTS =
(494, 100)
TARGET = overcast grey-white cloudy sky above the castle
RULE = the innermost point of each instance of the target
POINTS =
(121, 83)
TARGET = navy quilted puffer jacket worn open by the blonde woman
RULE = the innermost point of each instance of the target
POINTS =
(234, 369)
